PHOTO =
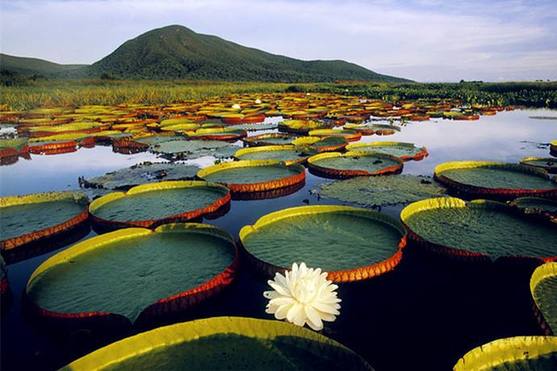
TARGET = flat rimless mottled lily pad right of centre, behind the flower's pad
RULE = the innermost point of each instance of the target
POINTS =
(381, 190)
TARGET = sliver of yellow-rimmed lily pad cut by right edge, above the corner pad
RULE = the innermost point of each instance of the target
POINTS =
(543, 286)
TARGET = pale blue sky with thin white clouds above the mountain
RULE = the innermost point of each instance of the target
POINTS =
(423, 40)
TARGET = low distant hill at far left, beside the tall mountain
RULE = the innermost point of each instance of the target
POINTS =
(35, 66)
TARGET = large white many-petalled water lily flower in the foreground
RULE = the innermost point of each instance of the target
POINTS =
(303, 295)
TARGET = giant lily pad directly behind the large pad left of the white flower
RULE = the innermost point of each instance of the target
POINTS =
(150, 204)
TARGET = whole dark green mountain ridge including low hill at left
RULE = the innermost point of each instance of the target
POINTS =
(176, 52)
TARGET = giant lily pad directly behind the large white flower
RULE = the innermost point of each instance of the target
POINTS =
(347, 242)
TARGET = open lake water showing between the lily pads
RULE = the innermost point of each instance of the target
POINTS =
(424, 315)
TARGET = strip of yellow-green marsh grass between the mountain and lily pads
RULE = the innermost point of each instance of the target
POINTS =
(30, 93)
